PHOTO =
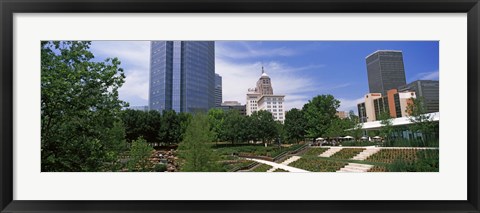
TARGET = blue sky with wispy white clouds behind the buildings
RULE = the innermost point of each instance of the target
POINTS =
(298, 69)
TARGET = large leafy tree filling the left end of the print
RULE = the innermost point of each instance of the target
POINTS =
(79, 104)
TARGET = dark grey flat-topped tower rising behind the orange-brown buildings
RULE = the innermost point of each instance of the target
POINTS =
(385, 71)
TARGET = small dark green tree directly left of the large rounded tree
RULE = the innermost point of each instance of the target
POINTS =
(295, 125)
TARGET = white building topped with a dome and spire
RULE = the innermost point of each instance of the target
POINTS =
(262, 98)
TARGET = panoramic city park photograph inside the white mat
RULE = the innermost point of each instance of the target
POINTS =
(240, 106)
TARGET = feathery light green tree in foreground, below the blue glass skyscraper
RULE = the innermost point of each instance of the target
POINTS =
(195, 151)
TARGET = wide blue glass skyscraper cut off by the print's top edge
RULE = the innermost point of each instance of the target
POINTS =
(182, 75)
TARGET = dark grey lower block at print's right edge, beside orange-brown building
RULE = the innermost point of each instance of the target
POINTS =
(428, 90)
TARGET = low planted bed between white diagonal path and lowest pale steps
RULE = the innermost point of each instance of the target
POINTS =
(318, 164)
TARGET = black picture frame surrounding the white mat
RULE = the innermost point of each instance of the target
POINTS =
(9, 7)
